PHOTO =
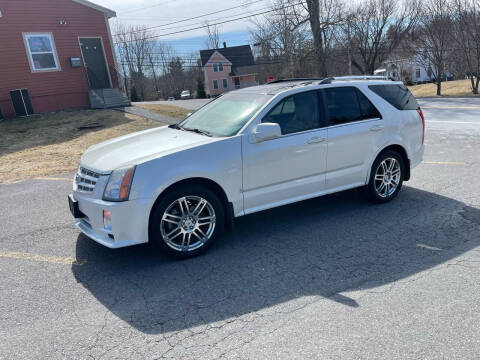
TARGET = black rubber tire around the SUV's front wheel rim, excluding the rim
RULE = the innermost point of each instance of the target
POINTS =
(166, 200)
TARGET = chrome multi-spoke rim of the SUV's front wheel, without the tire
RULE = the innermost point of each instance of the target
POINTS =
(188, 223)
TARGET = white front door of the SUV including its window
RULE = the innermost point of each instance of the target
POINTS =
(292, 166)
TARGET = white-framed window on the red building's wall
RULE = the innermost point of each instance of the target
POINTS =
(41, 52)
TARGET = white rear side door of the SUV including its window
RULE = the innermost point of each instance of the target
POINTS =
(355, 129)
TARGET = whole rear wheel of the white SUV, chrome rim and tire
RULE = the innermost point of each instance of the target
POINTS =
(386, 177)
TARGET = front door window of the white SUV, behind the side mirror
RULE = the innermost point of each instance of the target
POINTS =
(296, 113)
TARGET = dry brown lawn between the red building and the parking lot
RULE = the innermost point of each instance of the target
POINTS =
(53, 143)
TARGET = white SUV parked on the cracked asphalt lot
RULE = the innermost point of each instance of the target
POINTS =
(248, 150)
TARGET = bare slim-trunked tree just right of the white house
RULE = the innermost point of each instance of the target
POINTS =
(435, 38)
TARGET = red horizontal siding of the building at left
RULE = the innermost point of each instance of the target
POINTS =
(49, 91)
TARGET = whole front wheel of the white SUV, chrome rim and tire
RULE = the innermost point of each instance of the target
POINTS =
(187, 220)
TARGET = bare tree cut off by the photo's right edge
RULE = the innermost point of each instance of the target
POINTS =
(467, 38)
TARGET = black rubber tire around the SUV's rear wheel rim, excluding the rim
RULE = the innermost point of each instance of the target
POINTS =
(370, 189)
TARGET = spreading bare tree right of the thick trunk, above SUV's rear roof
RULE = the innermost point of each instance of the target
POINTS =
(376, 28)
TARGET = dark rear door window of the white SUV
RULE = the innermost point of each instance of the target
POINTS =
(342, 105)
